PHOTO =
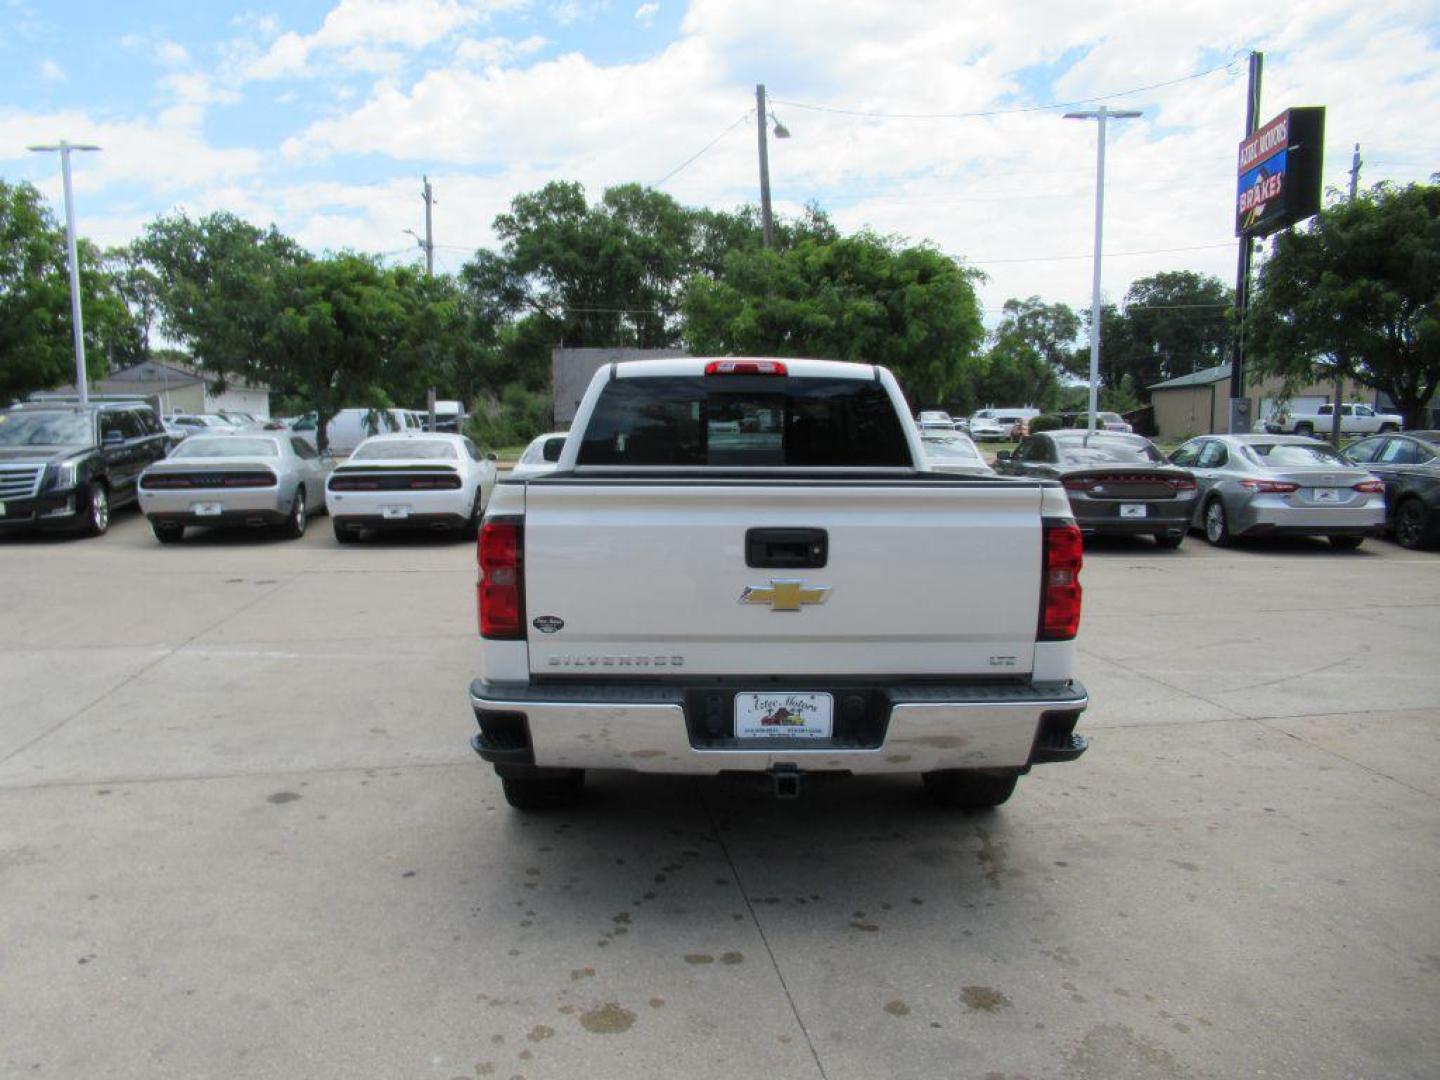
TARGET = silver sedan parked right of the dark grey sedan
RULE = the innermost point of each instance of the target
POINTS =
(1281, 486)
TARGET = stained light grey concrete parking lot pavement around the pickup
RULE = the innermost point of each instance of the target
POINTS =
(243, 836)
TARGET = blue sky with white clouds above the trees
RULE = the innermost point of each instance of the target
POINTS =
(921, 119)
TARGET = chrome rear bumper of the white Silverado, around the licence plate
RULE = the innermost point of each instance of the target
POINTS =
(644, 729)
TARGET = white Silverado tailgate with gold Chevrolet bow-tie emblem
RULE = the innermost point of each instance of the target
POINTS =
(922, 578)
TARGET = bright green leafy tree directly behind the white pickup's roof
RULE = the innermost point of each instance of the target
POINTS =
(860, 297)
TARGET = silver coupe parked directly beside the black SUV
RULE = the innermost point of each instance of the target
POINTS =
(256, 479)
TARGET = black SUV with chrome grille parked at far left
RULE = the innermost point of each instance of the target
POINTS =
(67, 466)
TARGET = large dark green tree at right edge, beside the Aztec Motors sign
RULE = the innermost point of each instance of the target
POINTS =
(1357, 294)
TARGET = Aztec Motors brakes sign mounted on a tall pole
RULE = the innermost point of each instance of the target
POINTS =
(1279, 174)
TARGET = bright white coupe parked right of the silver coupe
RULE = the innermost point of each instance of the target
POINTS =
(431, 482)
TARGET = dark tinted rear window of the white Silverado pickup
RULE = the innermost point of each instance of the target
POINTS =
(745, 421)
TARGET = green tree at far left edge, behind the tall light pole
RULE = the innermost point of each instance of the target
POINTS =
(37, 336)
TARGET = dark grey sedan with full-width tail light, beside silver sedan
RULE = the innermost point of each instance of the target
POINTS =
(1118, 485)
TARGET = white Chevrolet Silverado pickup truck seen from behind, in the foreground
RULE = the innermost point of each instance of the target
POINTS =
(747, 567)
